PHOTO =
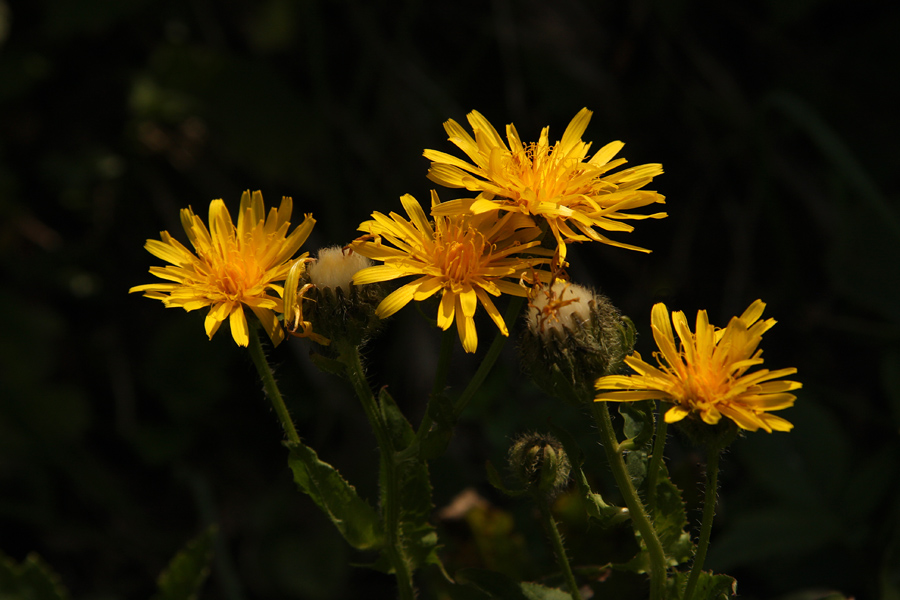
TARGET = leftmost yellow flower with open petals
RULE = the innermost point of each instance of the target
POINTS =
(232, 267)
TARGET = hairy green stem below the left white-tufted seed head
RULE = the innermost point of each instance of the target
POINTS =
(349, 355)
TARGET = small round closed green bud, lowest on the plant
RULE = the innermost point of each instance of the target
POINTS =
(540, 463)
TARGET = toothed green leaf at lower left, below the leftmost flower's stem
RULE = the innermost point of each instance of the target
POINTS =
(355, 518)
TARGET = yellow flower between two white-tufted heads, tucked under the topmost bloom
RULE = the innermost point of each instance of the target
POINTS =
(467, 258)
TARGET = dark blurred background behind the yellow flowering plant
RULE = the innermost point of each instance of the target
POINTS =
(123, 431)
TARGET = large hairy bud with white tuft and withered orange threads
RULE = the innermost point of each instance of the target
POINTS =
(573, 336)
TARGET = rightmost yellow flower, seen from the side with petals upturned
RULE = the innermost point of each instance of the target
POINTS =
(708, 374)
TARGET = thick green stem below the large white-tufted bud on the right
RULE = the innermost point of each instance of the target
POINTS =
(639, 515)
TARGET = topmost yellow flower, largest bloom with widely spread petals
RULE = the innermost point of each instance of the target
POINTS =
(574, 195)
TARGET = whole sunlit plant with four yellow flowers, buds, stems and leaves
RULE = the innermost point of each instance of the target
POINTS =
(516, 208)
